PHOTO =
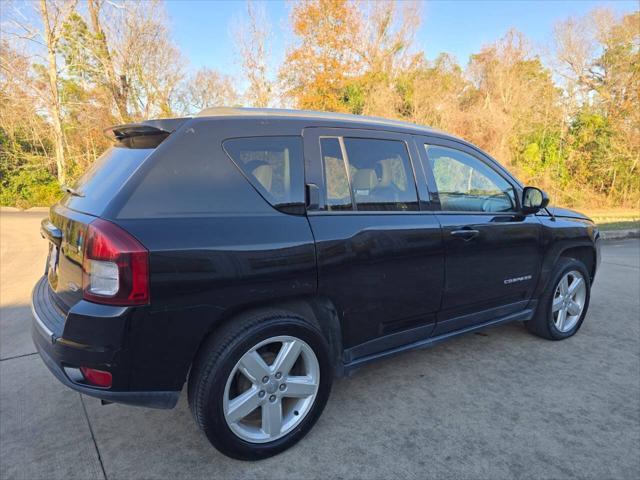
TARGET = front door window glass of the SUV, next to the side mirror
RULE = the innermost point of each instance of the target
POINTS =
(467, 184)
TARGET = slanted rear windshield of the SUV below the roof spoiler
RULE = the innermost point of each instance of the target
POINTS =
(105, 177)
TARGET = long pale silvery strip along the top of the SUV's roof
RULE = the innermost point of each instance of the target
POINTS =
(355, 120)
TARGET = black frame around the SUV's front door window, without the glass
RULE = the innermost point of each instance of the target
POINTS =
(493, 165)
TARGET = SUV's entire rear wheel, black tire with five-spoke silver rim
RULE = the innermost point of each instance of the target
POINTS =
(223, 384)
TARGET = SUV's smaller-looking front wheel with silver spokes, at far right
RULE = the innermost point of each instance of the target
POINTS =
(547, 321)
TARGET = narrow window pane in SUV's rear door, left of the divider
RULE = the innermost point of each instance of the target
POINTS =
(336, 181)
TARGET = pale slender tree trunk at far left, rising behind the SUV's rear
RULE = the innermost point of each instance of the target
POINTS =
(55, 109)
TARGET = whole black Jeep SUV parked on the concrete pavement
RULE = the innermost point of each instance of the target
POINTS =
(254, 254)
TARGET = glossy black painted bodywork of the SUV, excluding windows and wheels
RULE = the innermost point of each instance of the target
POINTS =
(376, 282)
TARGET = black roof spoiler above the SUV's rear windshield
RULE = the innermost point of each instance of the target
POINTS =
(147, 134)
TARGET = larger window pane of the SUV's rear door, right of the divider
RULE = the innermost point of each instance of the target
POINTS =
(381, 175)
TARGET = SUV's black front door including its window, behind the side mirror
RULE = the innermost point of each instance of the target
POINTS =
(493, 252)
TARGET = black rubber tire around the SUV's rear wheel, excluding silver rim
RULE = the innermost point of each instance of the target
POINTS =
(215, 425)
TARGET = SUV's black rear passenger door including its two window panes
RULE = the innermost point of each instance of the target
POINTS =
(379, 247)
